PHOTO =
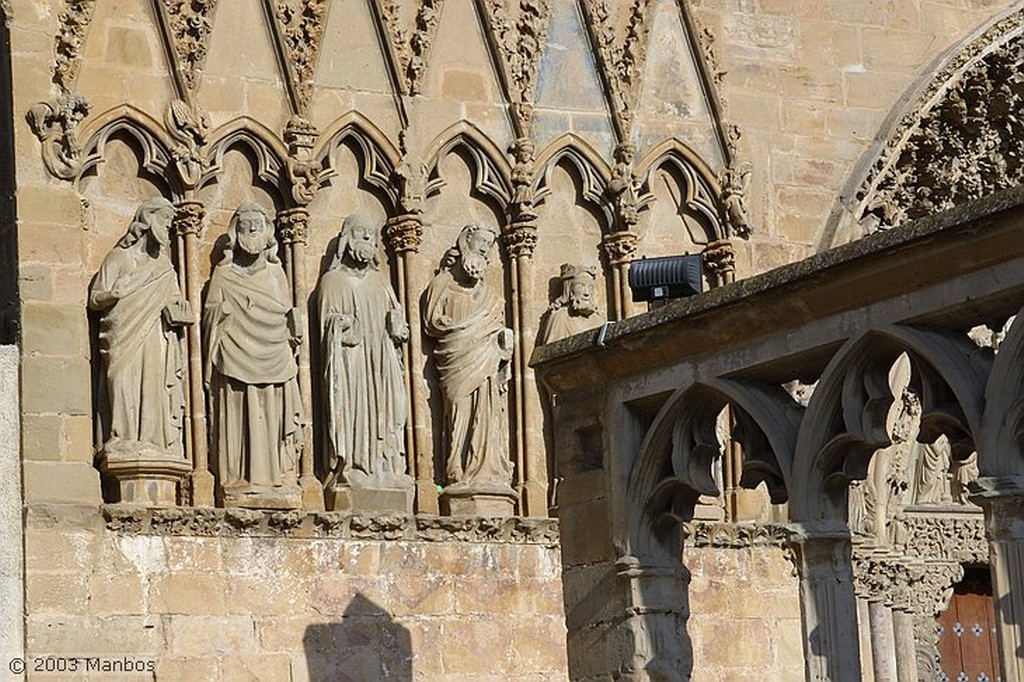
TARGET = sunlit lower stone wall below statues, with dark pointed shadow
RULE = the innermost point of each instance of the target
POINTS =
(291, 596)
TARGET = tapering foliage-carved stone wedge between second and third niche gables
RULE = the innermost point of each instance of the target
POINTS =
(302, 24)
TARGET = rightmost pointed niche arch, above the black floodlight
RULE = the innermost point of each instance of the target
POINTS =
(702, 191)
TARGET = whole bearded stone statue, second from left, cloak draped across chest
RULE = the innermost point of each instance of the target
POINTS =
(251, 331)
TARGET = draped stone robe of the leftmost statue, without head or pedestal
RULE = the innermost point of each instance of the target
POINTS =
(141, 353)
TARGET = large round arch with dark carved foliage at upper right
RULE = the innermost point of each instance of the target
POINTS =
(882, 191)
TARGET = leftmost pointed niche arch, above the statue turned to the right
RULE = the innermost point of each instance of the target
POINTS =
(146, 135)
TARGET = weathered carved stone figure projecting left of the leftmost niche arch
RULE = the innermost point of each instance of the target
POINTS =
(55, 123)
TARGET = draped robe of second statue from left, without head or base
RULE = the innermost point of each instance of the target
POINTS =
(255, 403)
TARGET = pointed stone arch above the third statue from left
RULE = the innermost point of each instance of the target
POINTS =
(380, 157)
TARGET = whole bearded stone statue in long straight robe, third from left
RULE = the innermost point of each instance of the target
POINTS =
(362, 328)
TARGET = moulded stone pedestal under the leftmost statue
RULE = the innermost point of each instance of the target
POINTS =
(146, 476)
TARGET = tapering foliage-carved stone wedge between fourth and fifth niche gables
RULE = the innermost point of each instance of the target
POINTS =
(520, 30)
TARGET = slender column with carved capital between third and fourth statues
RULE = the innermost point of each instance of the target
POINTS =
(404, 234)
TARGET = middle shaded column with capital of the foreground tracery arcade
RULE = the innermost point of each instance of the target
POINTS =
(828, 605)
